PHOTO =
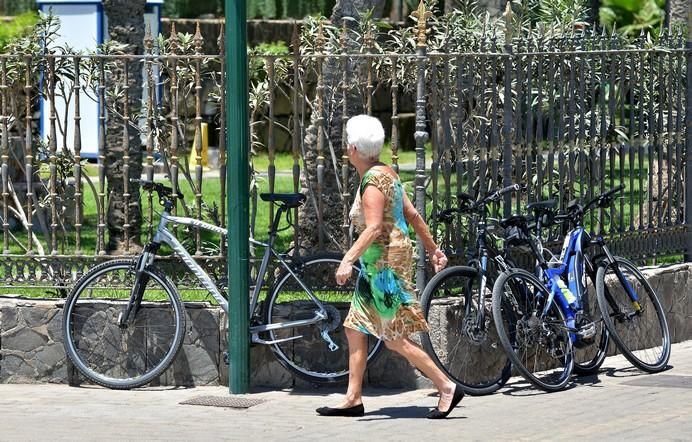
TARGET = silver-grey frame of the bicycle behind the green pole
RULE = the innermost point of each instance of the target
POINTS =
(165, 236)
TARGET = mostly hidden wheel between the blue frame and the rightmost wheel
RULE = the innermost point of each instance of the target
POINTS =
(589, 358)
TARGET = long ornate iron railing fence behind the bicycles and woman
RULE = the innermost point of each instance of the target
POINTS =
(568, 116)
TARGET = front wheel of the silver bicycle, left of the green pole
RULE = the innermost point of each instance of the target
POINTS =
(122, 354)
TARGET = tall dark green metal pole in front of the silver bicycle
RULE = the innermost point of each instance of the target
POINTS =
(237, 145)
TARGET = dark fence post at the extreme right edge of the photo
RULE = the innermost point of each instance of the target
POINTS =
(688, 141)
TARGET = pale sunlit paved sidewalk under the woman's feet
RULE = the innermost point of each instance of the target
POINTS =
(619, 404)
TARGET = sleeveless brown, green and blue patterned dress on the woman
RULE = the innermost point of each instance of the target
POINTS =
(384, 304)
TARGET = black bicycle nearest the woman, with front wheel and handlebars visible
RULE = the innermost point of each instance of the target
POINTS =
(462, 340)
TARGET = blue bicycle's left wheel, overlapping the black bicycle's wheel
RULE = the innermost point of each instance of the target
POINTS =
(518, 327)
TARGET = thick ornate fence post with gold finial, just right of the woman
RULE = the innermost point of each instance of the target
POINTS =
(421, 134)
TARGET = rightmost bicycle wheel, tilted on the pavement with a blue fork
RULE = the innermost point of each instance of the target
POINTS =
(622, 319)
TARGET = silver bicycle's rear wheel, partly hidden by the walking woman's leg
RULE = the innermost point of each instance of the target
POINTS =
(304, 349)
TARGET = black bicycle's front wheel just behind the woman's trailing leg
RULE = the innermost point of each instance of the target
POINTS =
(472, 356)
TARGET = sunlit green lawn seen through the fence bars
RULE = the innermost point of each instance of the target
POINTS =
(211, 195)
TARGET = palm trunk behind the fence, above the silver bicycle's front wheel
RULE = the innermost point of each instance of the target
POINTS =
(126, 26)
